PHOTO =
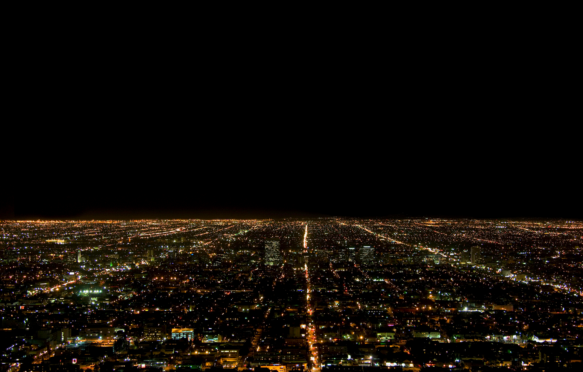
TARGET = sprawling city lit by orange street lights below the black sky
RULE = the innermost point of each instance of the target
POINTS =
(196, 294)
